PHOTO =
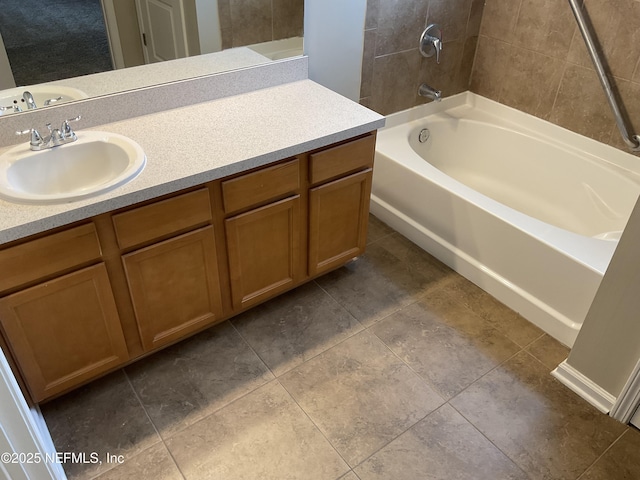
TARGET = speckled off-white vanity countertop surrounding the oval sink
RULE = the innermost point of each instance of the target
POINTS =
(196, 144)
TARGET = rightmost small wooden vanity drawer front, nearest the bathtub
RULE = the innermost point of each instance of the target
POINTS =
(342, 159)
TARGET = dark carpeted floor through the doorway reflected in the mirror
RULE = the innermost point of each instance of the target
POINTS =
(49, 40)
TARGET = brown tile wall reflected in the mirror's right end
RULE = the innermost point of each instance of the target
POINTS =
(245, 22)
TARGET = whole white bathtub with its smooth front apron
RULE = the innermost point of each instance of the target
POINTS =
(528, 211)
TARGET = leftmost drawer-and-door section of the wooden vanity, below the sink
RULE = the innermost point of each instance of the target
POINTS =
(64, 330)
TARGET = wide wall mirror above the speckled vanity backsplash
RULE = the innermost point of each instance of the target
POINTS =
(217, 35)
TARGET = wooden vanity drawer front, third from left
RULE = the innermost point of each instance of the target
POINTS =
(261, 186)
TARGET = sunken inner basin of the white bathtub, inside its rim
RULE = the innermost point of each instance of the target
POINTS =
(580, 193)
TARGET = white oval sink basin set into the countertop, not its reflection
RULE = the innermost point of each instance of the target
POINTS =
(95, 163)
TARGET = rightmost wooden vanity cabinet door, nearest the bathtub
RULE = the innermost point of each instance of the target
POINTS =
(338, 218)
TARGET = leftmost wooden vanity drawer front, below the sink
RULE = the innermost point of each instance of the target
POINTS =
(48, 255)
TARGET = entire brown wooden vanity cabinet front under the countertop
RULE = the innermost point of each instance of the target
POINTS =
(90, 298)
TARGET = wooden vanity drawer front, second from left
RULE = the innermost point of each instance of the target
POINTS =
(162, 218)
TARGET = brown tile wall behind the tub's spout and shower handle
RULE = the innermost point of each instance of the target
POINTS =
(393, 68)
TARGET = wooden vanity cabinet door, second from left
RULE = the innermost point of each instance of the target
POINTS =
(174, 287)
